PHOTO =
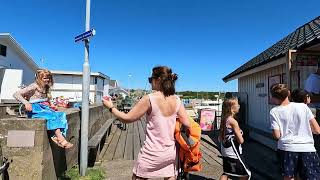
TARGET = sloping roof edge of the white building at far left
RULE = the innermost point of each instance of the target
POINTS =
(18, 47)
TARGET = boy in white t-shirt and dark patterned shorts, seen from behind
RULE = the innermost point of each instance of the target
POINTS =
(292, 126)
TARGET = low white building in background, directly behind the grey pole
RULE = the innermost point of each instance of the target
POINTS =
(69, 85)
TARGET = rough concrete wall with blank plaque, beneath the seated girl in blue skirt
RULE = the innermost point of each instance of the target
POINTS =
(33, 155)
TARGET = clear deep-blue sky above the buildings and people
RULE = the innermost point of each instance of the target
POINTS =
(202, 40)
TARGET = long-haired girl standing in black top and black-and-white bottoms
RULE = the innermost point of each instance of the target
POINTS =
(231, 140)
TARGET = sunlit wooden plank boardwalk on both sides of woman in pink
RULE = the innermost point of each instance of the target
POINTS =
(125, 144)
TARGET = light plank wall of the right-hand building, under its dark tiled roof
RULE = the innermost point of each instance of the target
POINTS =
(258, 106)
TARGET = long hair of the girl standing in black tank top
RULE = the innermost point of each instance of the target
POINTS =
(227, 111)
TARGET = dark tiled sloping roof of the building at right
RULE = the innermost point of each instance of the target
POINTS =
(304, 36)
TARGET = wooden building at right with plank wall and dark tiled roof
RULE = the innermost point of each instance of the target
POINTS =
(290, 61)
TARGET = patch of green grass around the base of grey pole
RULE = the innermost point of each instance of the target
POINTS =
(92, 174)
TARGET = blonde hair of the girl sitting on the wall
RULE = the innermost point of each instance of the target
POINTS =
(44, 73)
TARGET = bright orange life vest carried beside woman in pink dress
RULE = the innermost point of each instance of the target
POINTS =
(189, 152)
